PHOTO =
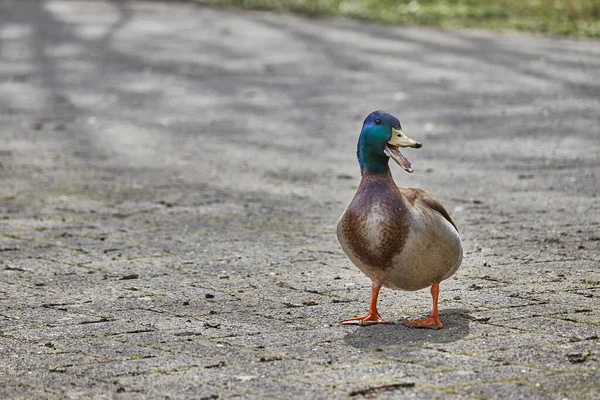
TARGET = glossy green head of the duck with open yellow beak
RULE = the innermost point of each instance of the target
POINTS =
(380, 138)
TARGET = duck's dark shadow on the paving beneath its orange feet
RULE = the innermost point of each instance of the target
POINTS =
(456, 326)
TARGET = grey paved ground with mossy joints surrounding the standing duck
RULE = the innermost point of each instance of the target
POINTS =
(171, 176)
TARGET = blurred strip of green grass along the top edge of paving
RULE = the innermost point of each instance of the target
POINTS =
(579, 18)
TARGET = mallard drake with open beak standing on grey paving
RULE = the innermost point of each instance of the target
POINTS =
(401, 238)
